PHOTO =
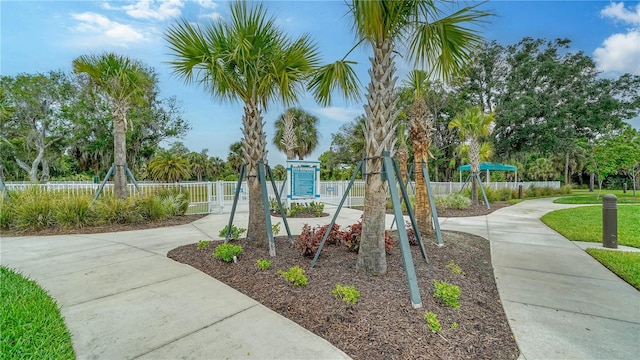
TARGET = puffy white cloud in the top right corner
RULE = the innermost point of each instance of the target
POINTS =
(620, 53)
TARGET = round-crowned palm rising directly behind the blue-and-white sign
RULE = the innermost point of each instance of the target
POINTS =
(296, 133)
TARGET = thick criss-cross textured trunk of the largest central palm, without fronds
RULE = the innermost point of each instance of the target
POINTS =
(380, 111)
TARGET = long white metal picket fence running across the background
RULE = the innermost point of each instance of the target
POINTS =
(217, 197)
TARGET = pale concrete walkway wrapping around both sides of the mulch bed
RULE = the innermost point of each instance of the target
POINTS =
(122, 298)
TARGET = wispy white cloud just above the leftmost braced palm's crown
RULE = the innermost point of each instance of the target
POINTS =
(97, 30)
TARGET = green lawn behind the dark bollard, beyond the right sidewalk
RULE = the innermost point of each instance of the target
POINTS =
(585, 224)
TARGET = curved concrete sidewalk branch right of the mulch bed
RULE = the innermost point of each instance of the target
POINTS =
(560, 302)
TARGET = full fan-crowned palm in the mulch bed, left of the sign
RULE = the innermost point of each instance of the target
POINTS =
(247, 58)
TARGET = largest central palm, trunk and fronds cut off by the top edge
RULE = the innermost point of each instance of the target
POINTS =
(433, 39)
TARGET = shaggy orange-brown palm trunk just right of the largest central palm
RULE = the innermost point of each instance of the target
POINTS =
(421, 131)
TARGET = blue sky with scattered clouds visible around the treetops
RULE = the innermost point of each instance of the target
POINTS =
(38, 36)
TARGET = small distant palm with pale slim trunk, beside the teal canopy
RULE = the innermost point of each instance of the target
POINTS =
(472, 126)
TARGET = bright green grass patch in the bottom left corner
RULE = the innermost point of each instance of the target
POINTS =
(31, 326)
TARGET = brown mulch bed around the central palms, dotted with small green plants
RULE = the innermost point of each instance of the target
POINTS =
(383, 324)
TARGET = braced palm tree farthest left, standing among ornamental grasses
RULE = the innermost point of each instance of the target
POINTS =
(123, 82)
